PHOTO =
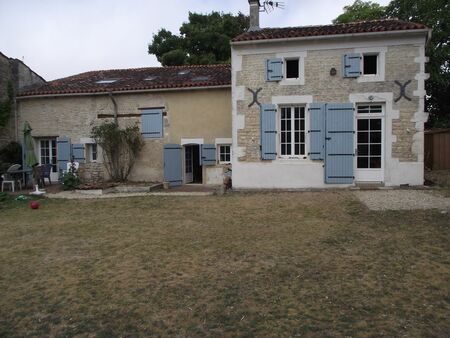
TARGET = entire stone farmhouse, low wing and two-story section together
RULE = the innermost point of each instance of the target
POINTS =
(300, 107)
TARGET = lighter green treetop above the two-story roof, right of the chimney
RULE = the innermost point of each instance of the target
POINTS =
(361, 10)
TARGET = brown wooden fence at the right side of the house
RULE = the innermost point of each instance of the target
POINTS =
(437, 149)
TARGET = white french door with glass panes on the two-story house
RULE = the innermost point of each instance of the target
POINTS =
(369, 142)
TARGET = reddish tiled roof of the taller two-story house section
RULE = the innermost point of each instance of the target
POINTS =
(310, 31)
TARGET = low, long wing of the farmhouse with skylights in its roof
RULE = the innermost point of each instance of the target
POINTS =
(183, 113)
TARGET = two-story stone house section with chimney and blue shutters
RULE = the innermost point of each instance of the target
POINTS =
(318, 106)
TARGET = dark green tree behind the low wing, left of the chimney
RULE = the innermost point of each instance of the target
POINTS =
(204, 39)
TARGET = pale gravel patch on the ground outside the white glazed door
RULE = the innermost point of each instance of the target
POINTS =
(402, 200)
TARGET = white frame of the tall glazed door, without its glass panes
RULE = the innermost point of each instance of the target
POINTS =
(370, 175)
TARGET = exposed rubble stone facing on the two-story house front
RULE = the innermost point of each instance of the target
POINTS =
(400, 66)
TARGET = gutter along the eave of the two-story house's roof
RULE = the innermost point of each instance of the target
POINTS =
(334, 36)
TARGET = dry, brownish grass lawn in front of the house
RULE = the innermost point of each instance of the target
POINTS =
(273, 264)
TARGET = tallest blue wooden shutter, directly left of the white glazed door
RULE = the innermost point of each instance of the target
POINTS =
(339, 145)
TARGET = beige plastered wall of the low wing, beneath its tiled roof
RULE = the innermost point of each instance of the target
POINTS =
(203, 113)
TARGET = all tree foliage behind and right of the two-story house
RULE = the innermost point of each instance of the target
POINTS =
(435, 14)
